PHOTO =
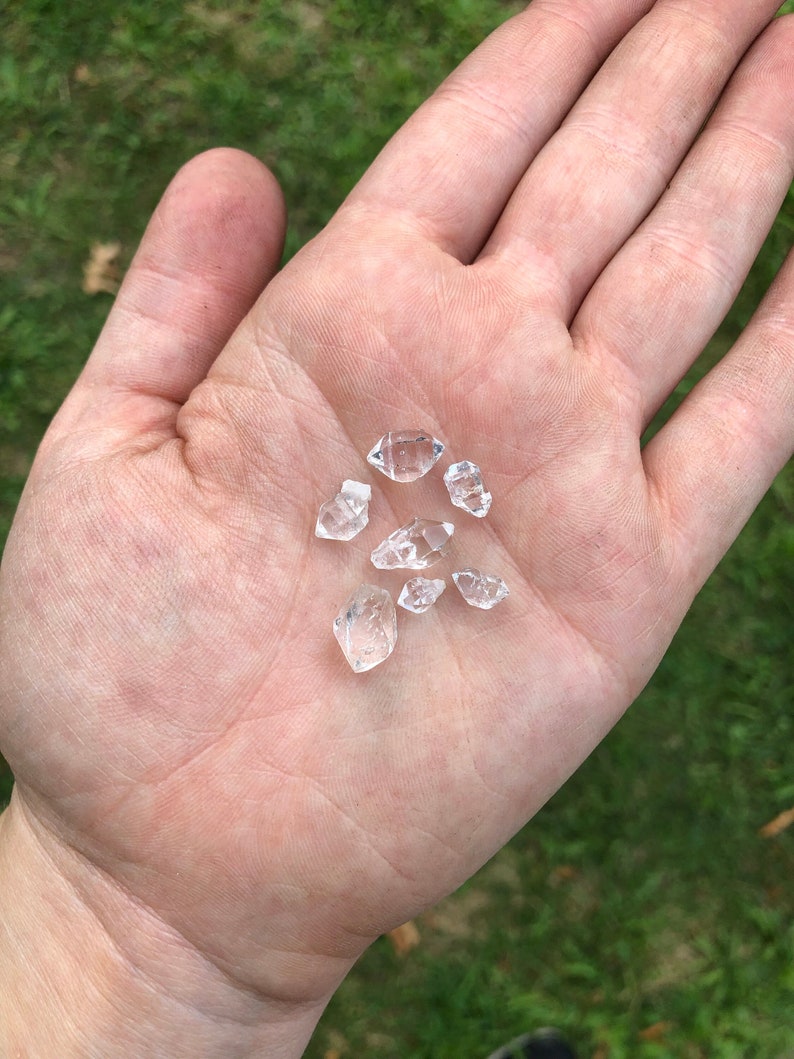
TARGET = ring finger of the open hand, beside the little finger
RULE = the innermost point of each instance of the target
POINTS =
(666, 293)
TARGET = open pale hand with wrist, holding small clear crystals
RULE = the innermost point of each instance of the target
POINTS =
(214, 817)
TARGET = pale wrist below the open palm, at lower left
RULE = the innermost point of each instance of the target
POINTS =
(87, 971)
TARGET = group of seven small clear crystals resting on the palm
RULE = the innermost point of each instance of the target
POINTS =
(367, 625)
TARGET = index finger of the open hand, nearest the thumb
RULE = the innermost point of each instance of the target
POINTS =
(454, 166)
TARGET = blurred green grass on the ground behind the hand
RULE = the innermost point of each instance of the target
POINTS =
(641, 910)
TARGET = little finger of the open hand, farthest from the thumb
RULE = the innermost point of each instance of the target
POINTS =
(718, 455)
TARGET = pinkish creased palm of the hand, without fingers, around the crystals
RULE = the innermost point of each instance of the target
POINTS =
(182, 713)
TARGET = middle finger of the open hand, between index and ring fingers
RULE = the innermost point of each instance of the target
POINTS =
(602, 174)
